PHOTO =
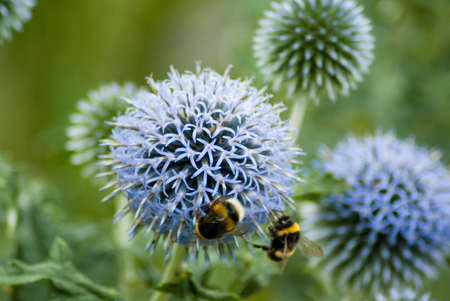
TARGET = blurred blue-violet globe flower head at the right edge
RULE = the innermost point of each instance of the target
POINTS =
(390, 229)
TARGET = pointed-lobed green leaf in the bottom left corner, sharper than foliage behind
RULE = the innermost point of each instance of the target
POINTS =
(67, 282)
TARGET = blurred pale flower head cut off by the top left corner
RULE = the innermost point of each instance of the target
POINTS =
(13, 13)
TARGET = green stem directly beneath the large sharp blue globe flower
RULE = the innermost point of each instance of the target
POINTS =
(170, 273)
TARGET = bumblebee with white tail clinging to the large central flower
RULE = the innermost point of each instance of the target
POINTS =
(223, 216)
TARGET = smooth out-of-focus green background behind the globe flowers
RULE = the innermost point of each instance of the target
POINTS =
(70, 47)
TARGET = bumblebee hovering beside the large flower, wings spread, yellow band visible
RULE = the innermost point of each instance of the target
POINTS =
(286, 235)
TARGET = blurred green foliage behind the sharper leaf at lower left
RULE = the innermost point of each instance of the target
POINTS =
(38, 219)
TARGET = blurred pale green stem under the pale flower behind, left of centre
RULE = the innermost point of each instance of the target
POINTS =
(125, 260)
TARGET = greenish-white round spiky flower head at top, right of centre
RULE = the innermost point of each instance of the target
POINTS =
(316, 47)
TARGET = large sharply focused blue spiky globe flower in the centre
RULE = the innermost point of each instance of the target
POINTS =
(195, 138)
